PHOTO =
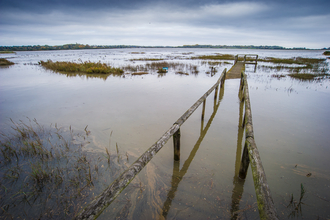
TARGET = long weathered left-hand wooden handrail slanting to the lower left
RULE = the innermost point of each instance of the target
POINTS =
(102, 201)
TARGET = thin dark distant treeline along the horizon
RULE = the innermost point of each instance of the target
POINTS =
(83, 46)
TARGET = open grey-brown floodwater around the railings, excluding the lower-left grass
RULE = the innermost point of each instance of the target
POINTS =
(291, 127)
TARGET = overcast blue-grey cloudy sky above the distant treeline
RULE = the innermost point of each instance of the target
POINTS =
(288, 23)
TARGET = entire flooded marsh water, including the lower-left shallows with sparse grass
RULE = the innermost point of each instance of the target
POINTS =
(127, 113)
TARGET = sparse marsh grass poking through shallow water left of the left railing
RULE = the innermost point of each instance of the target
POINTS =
(46, 173)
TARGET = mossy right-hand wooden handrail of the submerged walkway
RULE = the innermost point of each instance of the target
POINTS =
(266, 205)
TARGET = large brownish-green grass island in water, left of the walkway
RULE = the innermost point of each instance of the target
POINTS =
(86, 67)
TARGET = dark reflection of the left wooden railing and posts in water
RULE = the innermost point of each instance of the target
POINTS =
(179, 174)
